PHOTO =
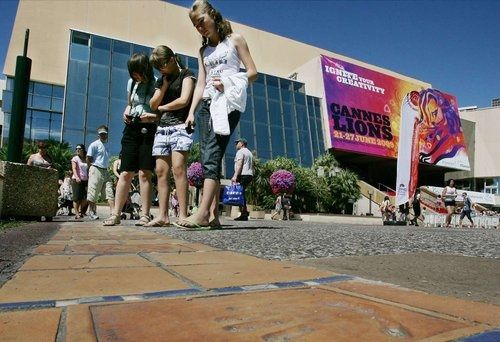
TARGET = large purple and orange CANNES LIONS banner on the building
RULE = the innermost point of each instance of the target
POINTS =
(372, 113)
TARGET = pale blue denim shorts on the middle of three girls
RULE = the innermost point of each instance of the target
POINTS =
(171, 138)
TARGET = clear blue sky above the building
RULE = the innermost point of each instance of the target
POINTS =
(455, 45)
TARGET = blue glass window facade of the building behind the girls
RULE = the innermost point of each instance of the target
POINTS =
(280, 119)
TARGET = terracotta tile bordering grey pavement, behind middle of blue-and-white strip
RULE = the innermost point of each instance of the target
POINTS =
(222, 269)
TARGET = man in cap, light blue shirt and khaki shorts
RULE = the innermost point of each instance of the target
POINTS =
(100, 183)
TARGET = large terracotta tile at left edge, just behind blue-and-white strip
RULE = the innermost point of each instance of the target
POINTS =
(67, 284)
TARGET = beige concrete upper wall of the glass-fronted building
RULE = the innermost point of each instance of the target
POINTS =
(49, 22)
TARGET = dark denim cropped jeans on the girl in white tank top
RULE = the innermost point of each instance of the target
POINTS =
(213, 146)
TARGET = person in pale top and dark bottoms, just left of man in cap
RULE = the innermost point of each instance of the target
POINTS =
(79, 180)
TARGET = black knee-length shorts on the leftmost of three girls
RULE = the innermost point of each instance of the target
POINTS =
(137, 147)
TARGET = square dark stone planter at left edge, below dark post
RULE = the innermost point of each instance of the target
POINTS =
(27, 190)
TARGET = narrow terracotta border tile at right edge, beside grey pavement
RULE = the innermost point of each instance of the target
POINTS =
(471, 311)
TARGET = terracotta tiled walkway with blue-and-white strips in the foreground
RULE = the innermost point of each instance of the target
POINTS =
(91, 282)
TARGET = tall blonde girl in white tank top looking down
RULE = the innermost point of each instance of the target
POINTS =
(221, 54)
